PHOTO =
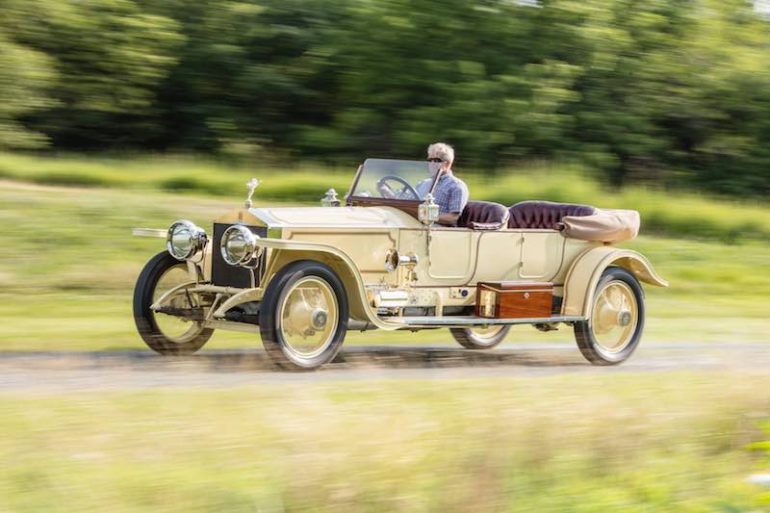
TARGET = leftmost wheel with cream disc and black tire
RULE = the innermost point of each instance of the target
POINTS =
(166, 334)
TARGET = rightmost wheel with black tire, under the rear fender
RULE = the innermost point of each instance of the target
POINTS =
(586, 332)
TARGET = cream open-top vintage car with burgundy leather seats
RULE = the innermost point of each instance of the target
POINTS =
(302, 277)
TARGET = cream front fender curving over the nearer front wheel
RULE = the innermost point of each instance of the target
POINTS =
(283, 252)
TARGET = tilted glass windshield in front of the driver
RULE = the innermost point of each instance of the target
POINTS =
(393, 179)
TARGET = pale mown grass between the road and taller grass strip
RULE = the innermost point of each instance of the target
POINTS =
(68, 264)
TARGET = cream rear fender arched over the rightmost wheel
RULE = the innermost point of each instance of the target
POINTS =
(586, 271)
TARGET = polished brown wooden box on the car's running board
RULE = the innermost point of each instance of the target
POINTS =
(514, 299)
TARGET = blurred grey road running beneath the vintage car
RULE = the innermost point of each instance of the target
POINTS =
(59, 371)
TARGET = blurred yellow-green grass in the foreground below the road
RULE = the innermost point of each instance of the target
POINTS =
(575, 443)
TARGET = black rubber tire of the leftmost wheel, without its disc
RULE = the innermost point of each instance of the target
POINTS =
(147, 322)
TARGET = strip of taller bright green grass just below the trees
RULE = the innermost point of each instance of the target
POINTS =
(671, 213)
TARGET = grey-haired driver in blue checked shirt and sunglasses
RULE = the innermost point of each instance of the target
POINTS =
(451, 193)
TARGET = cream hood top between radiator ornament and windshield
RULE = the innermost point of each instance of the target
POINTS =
(334, 217)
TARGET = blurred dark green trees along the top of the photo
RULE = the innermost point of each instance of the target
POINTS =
(671, 91)
